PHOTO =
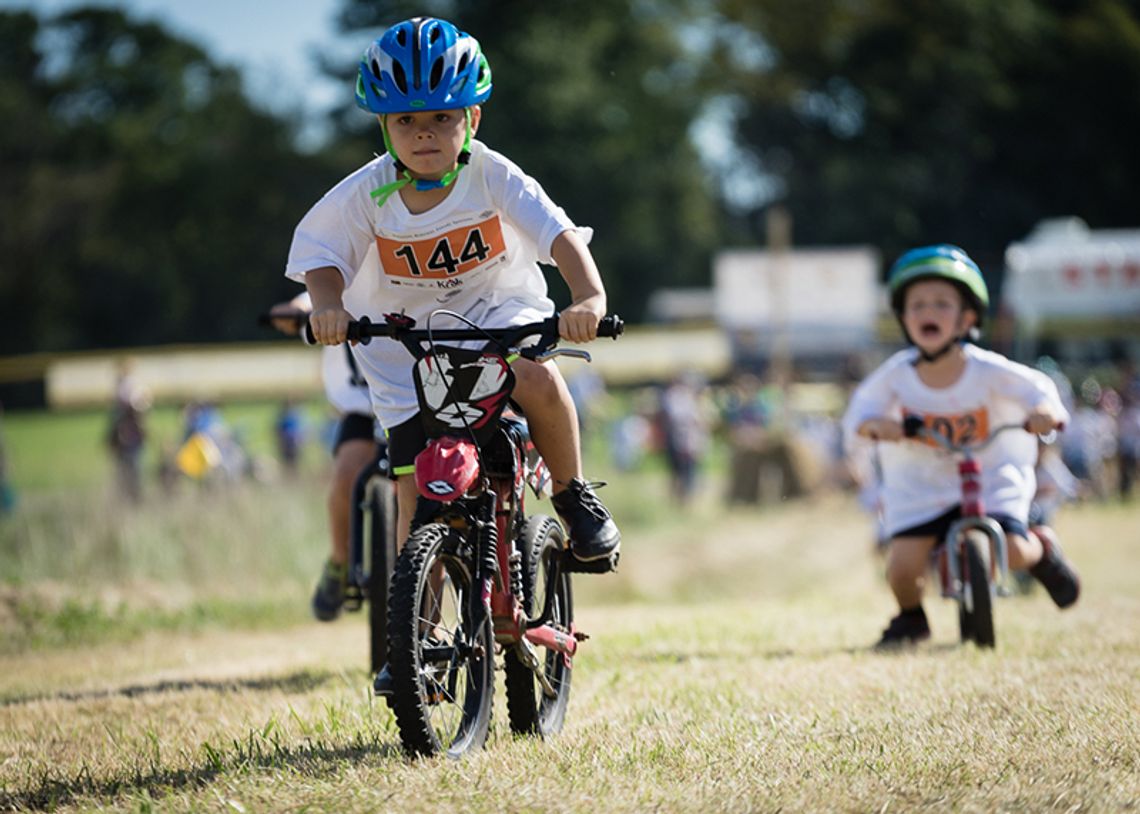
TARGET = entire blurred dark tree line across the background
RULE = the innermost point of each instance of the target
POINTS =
(145, 200)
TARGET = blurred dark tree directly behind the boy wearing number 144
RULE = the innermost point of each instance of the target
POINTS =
(595, 101)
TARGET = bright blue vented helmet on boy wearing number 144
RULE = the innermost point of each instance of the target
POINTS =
(424, 64)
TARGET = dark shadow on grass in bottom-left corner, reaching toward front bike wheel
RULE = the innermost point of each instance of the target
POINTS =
(311, 761)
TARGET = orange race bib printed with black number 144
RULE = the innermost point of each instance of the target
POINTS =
(444, 257)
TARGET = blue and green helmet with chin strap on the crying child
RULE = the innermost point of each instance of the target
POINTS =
(940, 262)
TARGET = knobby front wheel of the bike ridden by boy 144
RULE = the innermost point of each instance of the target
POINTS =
(441, 647)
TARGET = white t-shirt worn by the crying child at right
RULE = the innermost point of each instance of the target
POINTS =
(921, 482)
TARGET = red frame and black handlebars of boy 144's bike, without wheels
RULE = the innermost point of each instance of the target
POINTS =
(481, 481)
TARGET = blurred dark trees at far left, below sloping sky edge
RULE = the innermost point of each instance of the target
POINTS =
(143, 198)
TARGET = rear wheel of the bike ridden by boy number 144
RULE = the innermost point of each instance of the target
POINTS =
(539, 706)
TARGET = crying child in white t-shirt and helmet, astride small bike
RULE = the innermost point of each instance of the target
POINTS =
(940, 299)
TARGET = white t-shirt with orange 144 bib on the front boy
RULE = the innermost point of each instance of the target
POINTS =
(475, 254)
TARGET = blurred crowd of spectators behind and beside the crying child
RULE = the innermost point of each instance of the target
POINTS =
(781, 447)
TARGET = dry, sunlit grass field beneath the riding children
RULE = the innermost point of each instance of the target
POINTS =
(728, 671)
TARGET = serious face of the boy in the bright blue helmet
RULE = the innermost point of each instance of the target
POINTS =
(429, 142)
